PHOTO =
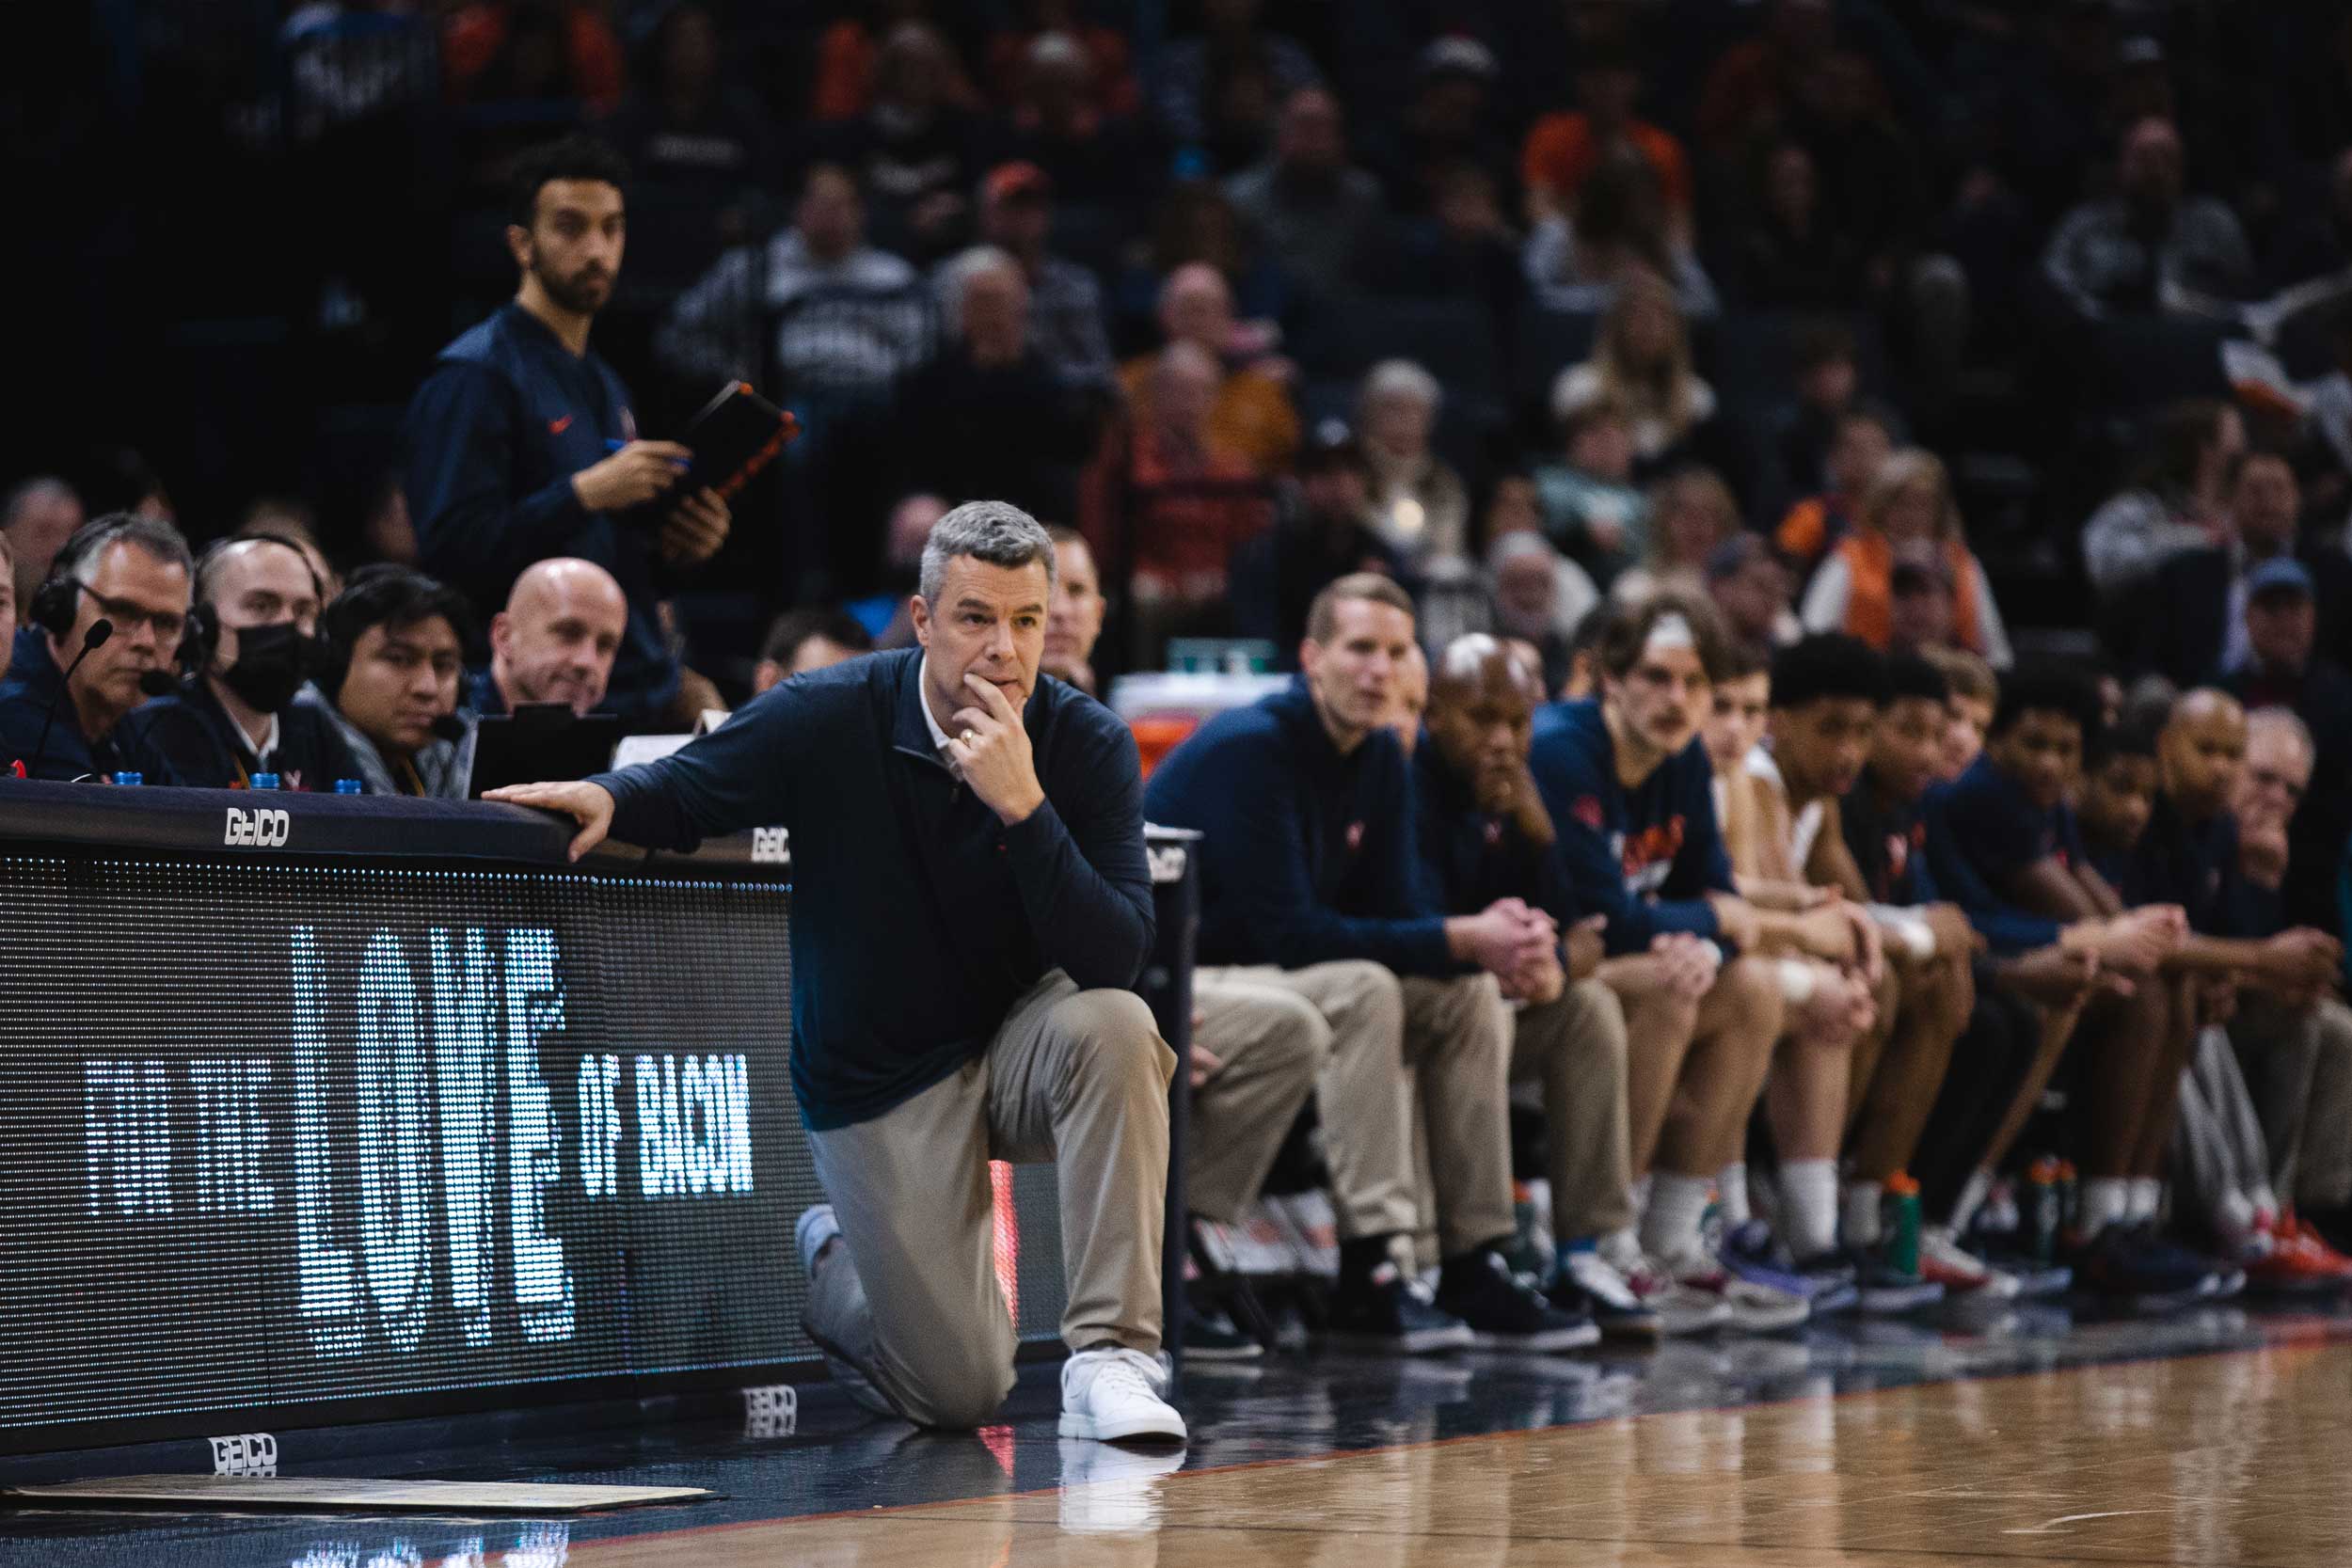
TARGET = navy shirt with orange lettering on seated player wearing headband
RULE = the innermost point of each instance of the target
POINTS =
(1645, 857)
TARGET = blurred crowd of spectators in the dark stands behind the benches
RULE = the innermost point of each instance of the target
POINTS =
(1895, 319)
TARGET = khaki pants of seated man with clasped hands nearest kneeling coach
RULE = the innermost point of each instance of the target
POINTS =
(1448, 1040)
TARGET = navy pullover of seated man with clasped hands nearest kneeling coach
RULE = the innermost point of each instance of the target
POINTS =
(1309, 855)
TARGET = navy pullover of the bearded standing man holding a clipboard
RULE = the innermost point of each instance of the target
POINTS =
(493, 441)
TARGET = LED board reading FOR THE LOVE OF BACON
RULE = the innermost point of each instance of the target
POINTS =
(283, 1134)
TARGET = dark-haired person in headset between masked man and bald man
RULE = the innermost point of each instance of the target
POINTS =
(389, 676)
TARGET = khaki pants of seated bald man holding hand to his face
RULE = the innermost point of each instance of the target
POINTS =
(1577, 1050)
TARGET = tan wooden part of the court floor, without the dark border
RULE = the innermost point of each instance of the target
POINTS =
(2229, 1459)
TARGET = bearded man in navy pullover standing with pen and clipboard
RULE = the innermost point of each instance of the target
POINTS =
(521, 445)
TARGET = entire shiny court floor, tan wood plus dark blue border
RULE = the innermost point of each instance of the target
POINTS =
(2214, 1438)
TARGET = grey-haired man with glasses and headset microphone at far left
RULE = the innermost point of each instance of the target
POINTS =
(72, 683)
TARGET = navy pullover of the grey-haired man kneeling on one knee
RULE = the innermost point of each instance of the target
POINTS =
(918, 918)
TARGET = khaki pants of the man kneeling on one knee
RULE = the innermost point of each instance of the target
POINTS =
(911, 1299)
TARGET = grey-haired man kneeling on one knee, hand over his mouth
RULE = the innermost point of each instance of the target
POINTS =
(970, 906)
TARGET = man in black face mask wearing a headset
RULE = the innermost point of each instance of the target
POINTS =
(253, 648)
